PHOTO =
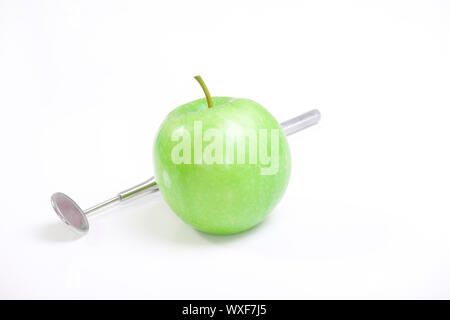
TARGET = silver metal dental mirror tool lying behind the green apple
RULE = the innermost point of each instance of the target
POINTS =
(69, 211)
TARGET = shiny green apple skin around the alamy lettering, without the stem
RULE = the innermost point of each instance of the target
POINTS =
(220, 198)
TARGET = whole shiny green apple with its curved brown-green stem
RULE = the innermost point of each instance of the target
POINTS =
(222, 164)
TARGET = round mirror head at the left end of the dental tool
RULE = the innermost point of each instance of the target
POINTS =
(70, 212)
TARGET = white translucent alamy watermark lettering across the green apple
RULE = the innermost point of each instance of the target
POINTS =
(231, 147)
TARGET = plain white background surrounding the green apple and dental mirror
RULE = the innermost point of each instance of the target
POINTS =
(84, 86)
